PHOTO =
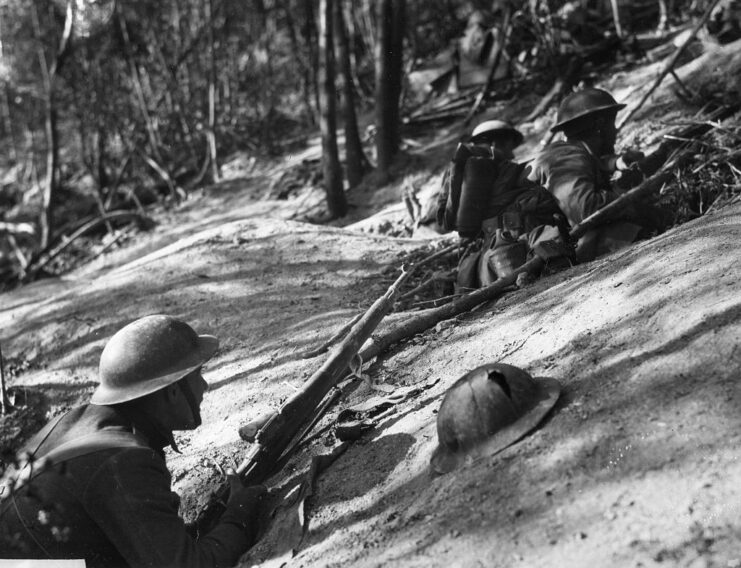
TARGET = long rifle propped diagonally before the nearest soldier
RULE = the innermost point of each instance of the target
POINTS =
(274, 433)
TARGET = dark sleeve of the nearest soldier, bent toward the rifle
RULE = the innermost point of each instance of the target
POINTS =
(130, 498)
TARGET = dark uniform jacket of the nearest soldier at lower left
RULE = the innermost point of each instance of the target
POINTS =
(113, 507)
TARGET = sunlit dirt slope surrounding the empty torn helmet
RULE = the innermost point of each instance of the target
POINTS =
(638, 464)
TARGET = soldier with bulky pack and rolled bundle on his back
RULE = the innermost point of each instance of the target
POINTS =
(502, 217)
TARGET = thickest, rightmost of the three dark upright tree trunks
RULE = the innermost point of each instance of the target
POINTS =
(389, 43)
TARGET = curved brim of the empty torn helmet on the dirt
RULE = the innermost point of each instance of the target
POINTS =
(444, 461)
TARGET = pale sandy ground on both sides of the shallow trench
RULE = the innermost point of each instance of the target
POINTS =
(637, 465)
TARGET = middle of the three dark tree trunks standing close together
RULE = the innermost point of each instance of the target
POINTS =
(355, 161)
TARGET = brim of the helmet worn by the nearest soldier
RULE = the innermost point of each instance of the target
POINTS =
(207, 346)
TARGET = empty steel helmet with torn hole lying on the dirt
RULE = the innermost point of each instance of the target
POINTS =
(487, 410)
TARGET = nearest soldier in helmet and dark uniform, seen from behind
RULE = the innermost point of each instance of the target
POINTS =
(96, 485)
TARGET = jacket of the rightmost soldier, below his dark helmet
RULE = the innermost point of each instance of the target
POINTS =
(573, 180)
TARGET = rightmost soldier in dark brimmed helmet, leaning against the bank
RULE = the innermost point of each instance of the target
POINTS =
(578, 171)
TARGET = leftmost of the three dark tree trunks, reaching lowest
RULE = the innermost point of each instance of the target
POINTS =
(336, 201)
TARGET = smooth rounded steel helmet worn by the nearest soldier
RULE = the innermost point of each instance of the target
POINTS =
(147, 355)
